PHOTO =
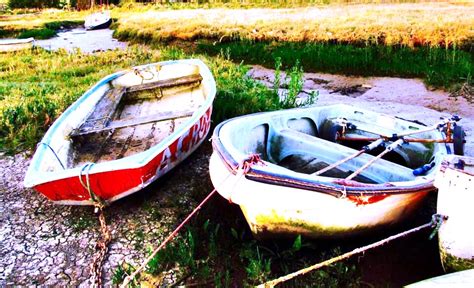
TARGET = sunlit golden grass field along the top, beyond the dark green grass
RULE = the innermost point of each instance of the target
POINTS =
(408, 25)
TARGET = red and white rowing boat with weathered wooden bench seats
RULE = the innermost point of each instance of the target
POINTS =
(131, 128)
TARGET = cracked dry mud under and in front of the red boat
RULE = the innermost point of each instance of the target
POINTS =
(53, 245)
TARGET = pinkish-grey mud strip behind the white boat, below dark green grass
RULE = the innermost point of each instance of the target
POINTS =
(406, 98)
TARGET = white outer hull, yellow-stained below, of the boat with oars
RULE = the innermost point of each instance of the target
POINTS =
(273, 209)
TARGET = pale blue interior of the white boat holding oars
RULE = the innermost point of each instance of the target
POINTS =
(305, 143)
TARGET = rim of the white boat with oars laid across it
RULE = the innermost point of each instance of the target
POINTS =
(260, 174)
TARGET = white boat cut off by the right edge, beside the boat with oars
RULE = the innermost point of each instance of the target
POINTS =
(455, 183)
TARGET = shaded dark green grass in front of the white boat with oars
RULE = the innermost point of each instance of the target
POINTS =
(211, 254)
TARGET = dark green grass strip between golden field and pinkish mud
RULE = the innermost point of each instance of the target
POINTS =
(438, 67)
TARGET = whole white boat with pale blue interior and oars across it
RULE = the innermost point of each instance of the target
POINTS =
(284, 195)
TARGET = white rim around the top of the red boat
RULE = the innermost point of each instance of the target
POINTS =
(35, 177)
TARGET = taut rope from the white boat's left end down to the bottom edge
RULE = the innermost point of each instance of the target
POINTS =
(244, 167)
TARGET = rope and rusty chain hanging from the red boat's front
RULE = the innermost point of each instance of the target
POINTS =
(102, 245)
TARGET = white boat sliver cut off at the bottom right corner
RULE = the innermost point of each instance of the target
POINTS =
(462, 279)
